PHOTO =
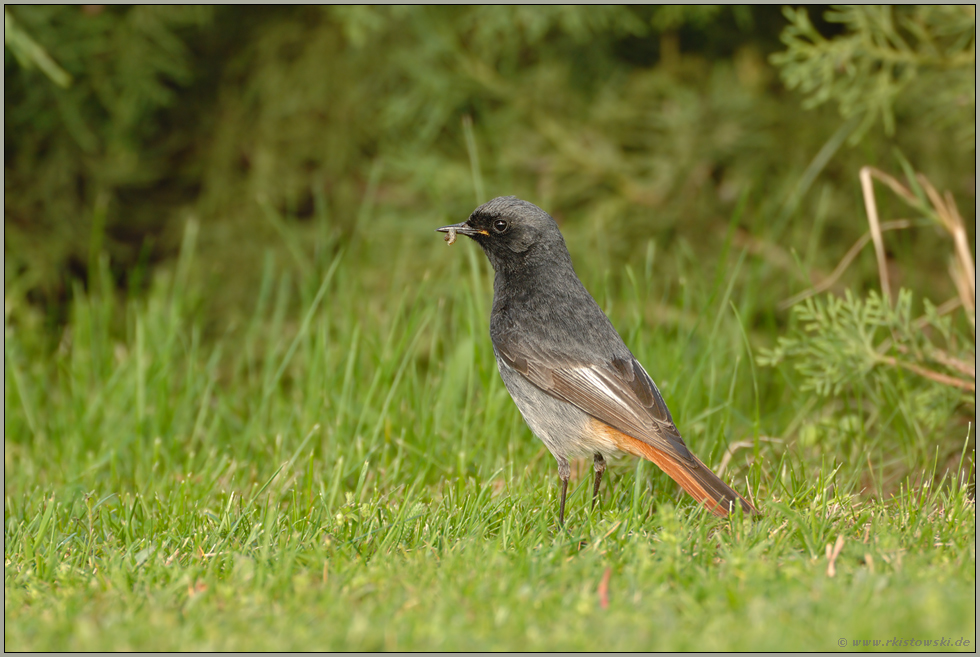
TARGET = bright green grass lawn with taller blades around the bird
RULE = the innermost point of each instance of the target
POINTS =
(345, 471)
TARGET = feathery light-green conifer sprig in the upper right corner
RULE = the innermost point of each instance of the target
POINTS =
(923, 52)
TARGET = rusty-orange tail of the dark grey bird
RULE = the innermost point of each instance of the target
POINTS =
(694, 477)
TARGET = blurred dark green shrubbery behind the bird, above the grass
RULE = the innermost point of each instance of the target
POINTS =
(289, 134)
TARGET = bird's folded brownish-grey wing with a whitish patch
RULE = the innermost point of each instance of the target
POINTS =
(618, 392)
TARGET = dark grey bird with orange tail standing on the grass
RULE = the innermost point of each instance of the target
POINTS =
(577, 385)
